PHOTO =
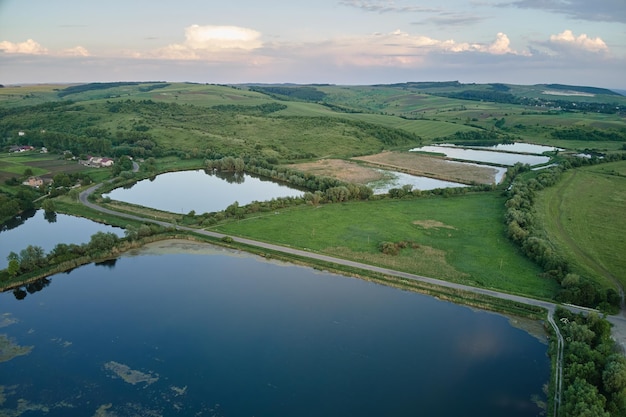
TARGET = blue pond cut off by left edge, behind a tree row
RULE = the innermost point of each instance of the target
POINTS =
(39, 229)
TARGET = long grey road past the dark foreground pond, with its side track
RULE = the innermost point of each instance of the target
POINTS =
(619, 322)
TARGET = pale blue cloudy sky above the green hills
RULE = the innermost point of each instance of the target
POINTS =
(347, 42)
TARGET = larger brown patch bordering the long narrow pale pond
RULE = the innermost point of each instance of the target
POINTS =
(433, 167)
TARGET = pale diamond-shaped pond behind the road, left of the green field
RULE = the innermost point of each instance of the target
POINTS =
(181, 192)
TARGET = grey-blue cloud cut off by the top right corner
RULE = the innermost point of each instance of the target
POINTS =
(597, 10)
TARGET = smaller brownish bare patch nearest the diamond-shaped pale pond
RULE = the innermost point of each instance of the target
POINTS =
(342, 170)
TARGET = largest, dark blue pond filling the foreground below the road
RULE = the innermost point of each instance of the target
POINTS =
(226, 334)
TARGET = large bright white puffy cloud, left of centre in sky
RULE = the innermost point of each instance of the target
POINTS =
(203, 42)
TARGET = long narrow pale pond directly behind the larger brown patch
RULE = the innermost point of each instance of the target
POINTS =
(489, 157)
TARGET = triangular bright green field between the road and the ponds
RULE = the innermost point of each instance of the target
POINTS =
(459, 239)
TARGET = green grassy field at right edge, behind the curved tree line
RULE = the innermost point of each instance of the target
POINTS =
(584, 216)
